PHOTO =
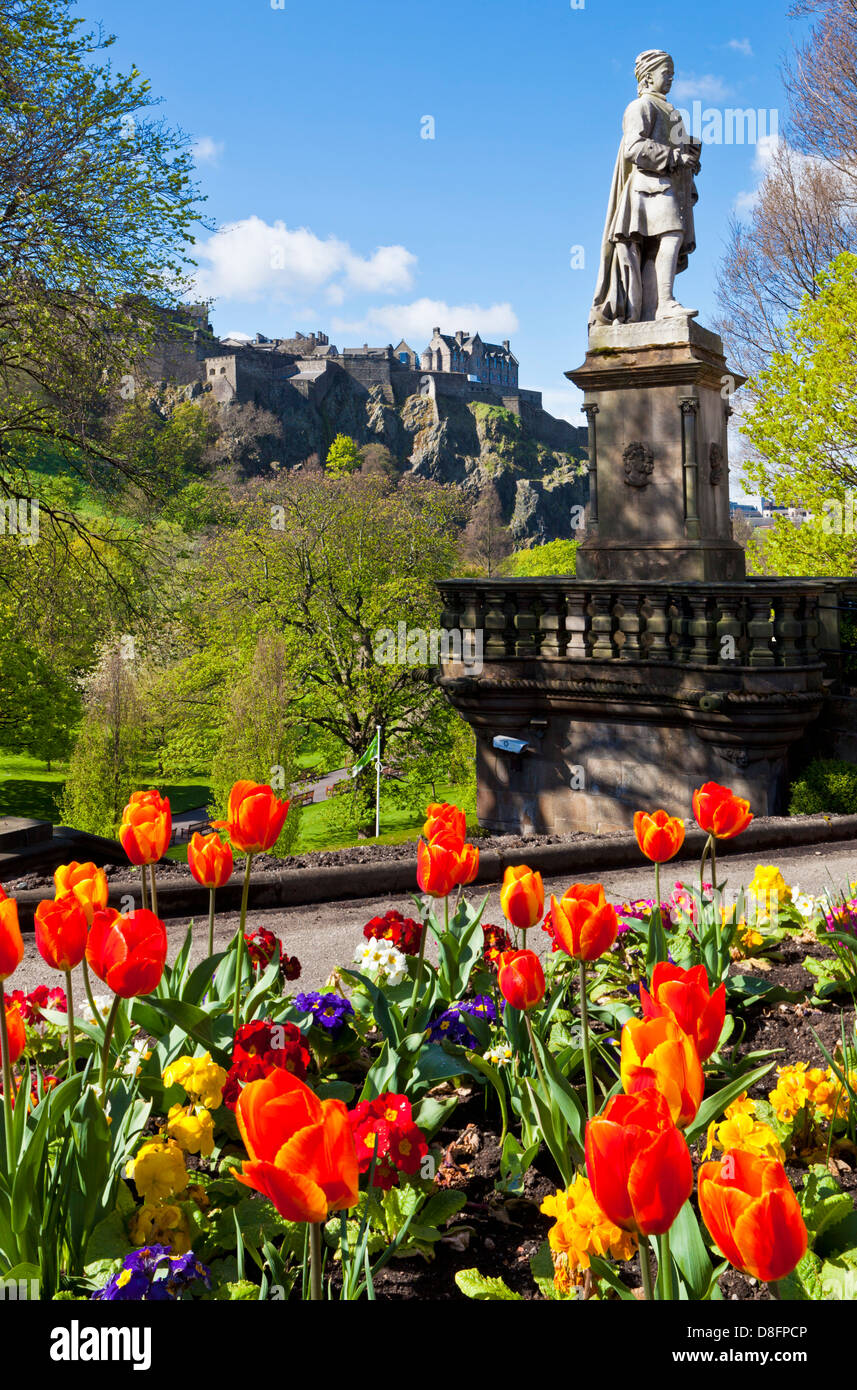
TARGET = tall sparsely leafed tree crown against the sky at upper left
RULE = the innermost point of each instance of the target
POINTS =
(97, 215)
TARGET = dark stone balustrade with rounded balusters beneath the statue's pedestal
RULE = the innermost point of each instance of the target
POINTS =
(758, 623)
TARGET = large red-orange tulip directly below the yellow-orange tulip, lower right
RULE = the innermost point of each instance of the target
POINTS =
(638, 1163)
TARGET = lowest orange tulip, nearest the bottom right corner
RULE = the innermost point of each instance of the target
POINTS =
(754, 1216)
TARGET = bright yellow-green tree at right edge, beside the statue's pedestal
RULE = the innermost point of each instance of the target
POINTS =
(802, 427)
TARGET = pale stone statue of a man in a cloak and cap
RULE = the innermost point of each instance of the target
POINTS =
(649, 233)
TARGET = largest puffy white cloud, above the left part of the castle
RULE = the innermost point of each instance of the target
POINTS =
(255, 261)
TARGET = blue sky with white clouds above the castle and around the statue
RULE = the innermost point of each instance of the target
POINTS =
(335, 213)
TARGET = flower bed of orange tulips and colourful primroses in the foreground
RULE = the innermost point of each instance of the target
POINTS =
(662, 1103)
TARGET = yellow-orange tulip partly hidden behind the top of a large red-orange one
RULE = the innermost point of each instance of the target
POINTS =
(658, 1053)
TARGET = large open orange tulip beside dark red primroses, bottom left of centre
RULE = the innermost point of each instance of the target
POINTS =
(302, 1150)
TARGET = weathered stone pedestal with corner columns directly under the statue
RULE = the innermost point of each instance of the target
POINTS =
(658, 404)
